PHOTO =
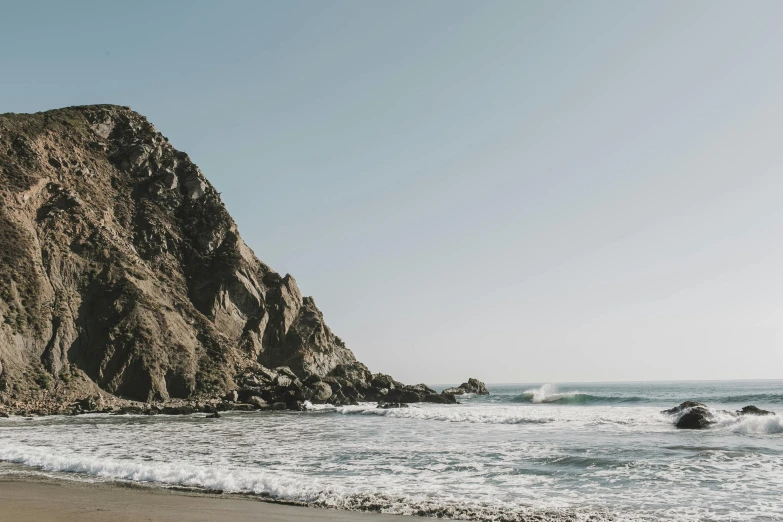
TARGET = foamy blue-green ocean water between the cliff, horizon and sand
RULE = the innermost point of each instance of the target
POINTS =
(568, 452)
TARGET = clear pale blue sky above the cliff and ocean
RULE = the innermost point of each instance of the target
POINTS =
(515, 191)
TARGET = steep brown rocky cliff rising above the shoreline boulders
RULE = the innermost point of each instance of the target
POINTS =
(121, 269)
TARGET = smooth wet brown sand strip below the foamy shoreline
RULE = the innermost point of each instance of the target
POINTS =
(24, 499)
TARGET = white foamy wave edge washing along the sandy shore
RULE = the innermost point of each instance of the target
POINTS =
(286, 488)
